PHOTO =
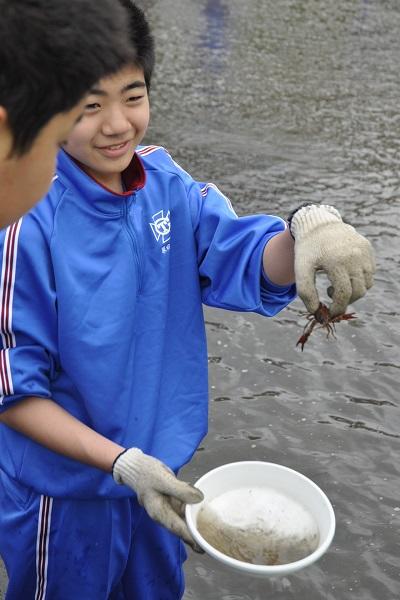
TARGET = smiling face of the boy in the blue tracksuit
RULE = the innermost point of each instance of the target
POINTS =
(114, 122)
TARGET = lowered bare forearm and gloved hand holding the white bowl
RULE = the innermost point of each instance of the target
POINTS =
(158, 490)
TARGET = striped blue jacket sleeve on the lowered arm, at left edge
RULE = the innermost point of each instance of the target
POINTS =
(28, 309)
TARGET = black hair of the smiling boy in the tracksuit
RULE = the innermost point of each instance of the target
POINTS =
(141, 39)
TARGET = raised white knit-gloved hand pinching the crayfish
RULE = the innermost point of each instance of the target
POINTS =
(324, 243)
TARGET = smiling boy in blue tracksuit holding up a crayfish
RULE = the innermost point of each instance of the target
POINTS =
(104, 361)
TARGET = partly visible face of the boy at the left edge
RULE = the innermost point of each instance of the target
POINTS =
(24, 179)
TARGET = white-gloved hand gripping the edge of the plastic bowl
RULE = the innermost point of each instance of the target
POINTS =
(158, 490)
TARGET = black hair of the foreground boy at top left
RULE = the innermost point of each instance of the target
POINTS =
(51, 53)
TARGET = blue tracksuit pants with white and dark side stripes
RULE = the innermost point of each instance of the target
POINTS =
(63, 549)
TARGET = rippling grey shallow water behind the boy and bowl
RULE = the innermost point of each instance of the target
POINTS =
(279, 102)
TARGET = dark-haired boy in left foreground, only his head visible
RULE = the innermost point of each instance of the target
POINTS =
(50, 55)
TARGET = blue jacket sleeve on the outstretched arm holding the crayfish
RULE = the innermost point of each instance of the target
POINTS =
(230, 250)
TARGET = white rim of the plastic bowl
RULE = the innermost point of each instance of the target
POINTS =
(266, 570)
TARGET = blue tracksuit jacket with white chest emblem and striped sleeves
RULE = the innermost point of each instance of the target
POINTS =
(101, 311)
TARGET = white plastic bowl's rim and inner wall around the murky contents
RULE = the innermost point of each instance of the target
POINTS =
(282, 479)
